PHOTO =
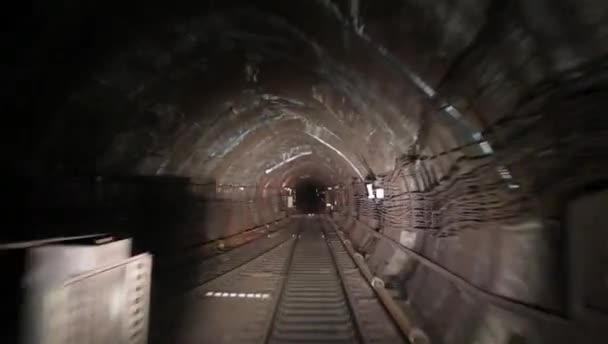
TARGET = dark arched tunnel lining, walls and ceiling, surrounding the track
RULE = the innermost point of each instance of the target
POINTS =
(459, 148)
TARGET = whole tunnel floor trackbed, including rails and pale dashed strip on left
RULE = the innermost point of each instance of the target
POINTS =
(307, 289)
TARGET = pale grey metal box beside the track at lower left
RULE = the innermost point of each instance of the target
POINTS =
(86, 291)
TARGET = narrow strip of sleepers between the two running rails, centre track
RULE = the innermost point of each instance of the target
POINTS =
(313, 306)
